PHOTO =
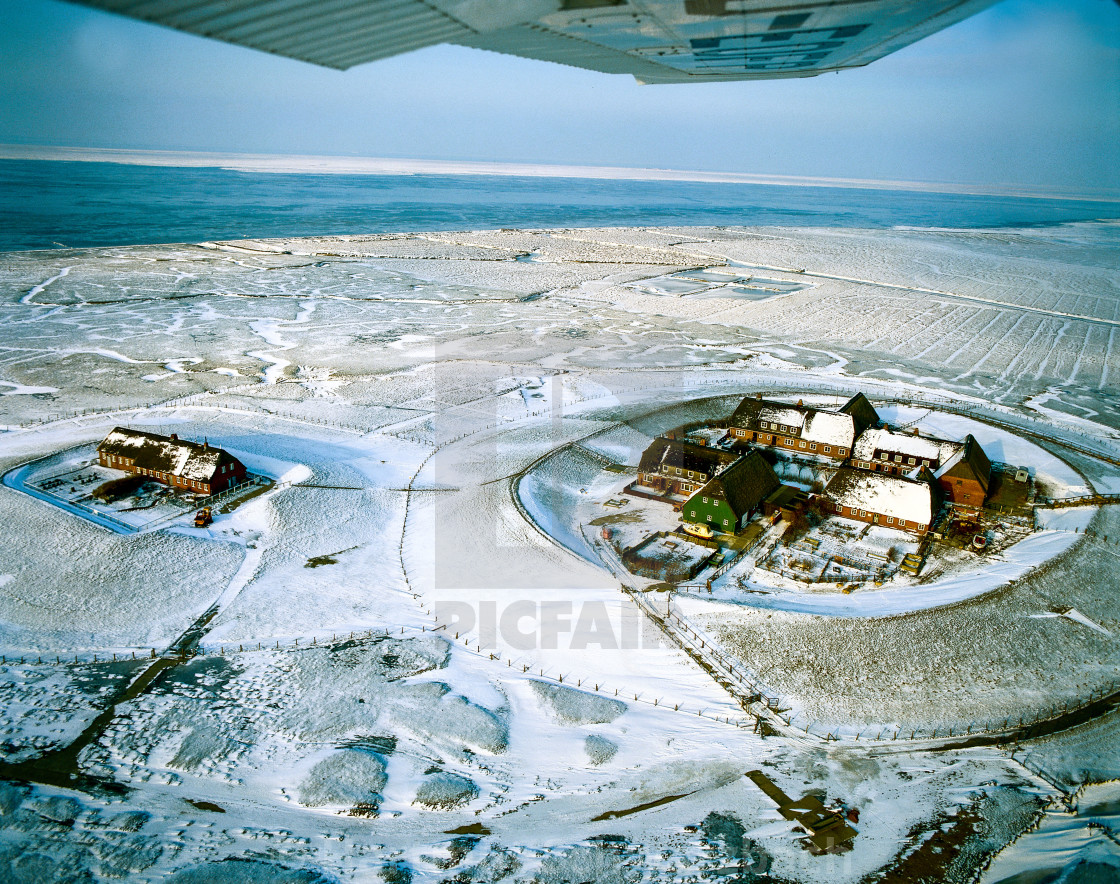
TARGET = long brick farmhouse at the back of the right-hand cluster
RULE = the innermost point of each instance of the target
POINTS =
(800, 429)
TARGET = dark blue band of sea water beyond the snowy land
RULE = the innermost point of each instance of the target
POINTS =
(46, 204)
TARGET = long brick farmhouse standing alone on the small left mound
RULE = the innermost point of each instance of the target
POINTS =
(172, 461)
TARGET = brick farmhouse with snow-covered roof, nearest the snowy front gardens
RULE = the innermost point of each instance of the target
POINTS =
(883, 499)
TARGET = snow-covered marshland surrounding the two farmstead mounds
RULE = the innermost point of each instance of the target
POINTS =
(412, 662)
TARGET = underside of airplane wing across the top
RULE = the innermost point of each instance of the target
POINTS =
(656, 41)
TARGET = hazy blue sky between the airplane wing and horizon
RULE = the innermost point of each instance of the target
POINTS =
(1026, 94)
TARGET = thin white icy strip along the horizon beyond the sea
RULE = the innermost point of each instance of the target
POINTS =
(285, 164)
